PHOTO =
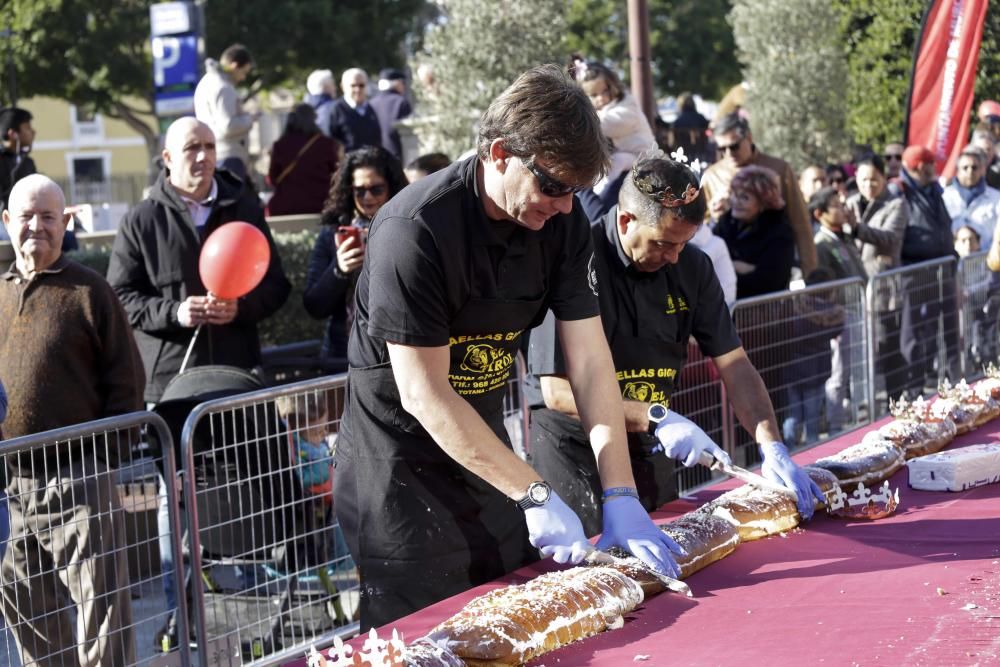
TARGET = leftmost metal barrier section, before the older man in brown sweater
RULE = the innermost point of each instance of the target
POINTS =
(81, 580)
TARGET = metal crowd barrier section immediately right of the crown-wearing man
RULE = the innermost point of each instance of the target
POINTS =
(809, 346)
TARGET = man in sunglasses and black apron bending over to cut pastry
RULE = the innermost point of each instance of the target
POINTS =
(431, 497)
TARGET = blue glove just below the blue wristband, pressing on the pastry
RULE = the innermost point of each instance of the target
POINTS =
(627, 525)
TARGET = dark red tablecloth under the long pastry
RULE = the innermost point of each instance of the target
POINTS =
(898, 591)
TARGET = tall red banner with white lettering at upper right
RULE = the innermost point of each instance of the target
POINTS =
(944, 79)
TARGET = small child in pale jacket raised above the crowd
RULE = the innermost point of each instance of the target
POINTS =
(622, 121)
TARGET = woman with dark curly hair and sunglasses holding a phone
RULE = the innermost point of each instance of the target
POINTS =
(367, 179)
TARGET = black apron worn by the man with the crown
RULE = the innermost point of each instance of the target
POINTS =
(647, 370)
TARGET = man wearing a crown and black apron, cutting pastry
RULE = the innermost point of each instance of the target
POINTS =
(655, 293)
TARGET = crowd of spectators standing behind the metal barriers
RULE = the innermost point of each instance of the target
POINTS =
(340, 157)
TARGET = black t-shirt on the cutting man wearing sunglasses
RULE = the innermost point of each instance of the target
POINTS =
(432, 248)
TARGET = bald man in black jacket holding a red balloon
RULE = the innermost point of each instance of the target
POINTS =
(154, 263)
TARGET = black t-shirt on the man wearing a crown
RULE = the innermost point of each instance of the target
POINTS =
(672, 304)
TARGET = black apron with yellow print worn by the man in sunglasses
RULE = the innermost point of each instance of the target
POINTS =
(420, 526)
